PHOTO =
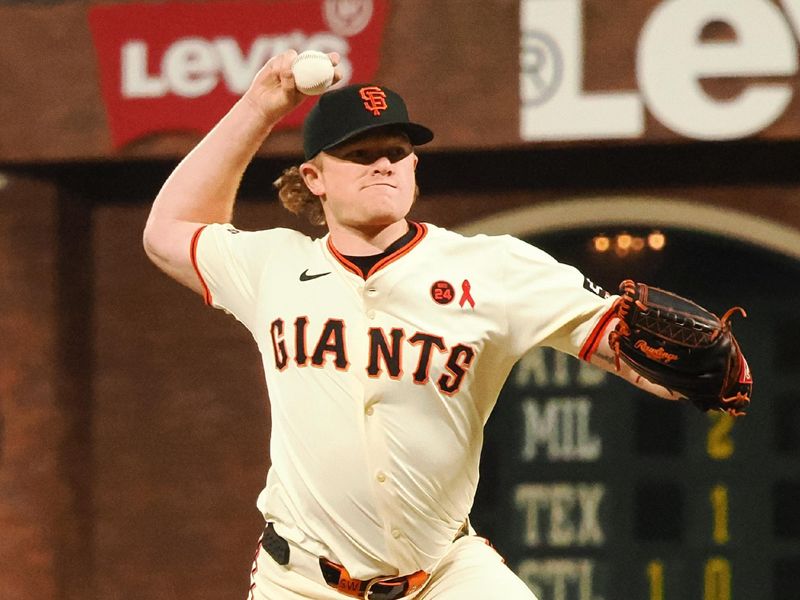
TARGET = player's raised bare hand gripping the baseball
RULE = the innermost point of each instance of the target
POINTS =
(273, 90)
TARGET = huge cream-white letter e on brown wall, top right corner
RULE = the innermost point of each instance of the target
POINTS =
(672, 60)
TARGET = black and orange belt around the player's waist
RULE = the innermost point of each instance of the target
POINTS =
(391, 587)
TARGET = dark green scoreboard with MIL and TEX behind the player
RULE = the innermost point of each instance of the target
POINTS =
(593, 490)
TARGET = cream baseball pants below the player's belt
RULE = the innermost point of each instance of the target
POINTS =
(471, 570)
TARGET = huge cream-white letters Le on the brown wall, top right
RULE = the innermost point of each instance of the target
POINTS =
(672, 63)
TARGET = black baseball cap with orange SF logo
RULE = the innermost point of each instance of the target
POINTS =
(345, 112)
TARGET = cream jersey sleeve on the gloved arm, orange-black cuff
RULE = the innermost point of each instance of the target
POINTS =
(551, 303)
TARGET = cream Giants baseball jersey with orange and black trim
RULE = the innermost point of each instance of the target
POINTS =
(380, 386)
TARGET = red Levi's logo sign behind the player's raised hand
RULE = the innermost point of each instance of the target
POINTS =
(179, 66)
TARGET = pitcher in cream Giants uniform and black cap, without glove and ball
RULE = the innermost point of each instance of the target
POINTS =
(385, 344)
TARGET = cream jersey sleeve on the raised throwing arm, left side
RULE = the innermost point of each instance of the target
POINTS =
(231, 264)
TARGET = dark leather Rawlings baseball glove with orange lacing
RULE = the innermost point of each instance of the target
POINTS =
(681, 346)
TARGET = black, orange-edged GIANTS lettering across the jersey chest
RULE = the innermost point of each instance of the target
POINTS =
(385, 353)
